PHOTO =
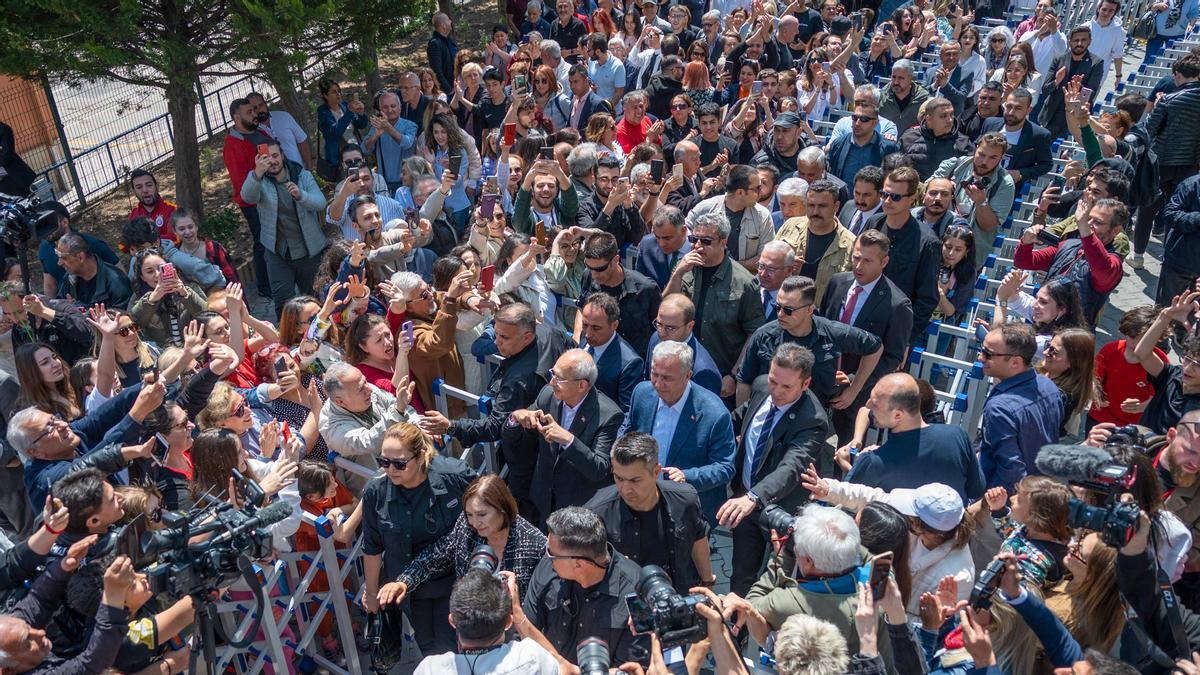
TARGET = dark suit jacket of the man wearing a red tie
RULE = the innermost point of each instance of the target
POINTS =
(886, 314)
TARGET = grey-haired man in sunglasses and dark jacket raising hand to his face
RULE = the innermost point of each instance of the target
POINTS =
(729, 309)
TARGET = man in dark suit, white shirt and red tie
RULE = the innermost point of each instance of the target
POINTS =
(869, 301)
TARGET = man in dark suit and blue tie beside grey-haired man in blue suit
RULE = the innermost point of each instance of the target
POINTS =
(781, 433)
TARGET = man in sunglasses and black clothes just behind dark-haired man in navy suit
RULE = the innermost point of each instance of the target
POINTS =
(635, 294)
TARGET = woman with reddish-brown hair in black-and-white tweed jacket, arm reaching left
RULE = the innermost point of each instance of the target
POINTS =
(490, 517)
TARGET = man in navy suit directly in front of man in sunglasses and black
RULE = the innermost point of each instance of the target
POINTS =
(619, 365)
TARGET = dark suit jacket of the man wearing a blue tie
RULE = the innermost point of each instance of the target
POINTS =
(796, 440)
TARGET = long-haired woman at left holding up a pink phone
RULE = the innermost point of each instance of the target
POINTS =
(164, 304)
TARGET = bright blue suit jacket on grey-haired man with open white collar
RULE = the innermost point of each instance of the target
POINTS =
(703, 445)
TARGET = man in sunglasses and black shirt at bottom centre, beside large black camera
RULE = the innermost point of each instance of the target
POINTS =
(579, 590)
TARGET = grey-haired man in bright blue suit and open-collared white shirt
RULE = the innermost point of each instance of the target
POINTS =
(691, 423)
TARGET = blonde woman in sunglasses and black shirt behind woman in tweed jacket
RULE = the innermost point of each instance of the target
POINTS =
(411, 507)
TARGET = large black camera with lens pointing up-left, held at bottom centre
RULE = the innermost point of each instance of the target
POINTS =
(657, 608)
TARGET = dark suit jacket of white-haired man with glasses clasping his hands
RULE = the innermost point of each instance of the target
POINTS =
(572, 475)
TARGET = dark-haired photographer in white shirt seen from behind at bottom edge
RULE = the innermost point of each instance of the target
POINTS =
(482, 612)
